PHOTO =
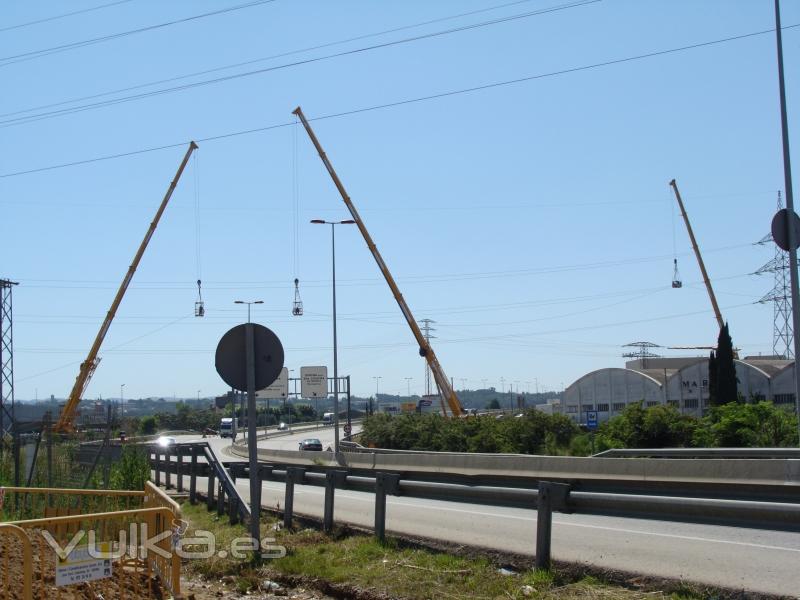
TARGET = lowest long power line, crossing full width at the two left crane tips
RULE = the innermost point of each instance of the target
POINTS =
(399, 102)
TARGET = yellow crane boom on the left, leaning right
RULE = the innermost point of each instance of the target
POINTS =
(89, 365)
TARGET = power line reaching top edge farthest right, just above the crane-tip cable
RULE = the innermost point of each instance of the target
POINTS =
(227, 78)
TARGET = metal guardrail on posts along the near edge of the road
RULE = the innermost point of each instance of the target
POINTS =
(544, 495)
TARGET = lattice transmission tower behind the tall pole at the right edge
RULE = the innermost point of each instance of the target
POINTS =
(780, 296)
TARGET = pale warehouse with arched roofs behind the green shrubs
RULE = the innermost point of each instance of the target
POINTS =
(679, 381)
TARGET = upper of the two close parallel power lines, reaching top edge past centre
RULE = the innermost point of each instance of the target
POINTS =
(263, 59)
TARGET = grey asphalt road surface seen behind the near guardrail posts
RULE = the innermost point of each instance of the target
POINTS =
(733, 557)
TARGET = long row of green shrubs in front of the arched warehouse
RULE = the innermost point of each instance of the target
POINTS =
(736, 424)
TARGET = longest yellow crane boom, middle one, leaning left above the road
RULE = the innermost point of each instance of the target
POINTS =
(425, 349)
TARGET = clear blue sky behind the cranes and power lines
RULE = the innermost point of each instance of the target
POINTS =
(533, 221)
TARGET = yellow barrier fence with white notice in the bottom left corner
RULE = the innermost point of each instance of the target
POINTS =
(55, 557)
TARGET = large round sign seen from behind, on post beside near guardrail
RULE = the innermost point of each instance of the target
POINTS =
(231, 357)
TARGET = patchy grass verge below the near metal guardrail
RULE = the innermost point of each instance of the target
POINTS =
(359, 562)
